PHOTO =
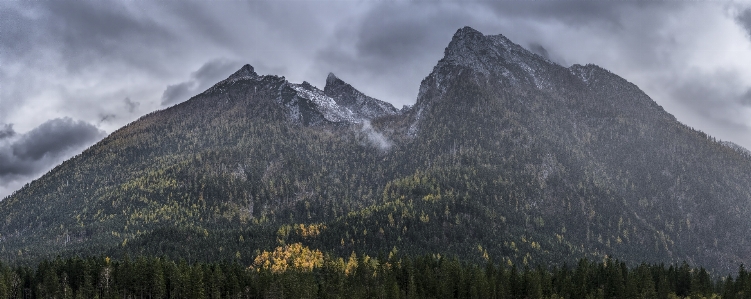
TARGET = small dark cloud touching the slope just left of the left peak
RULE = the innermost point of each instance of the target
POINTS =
(206, 76)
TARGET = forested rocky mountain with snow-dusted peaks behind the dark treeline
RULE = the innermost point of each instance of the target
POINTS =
(505, 156)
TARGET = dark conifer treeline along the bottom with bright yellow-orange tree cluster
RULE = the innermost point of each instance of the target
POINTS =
(428, 276)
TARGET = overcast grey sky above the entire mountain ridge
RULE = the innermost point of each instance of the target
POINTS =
(72, 72)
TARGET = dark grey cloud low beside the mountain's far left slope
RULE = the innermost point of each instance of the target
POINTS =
(26, 156)
